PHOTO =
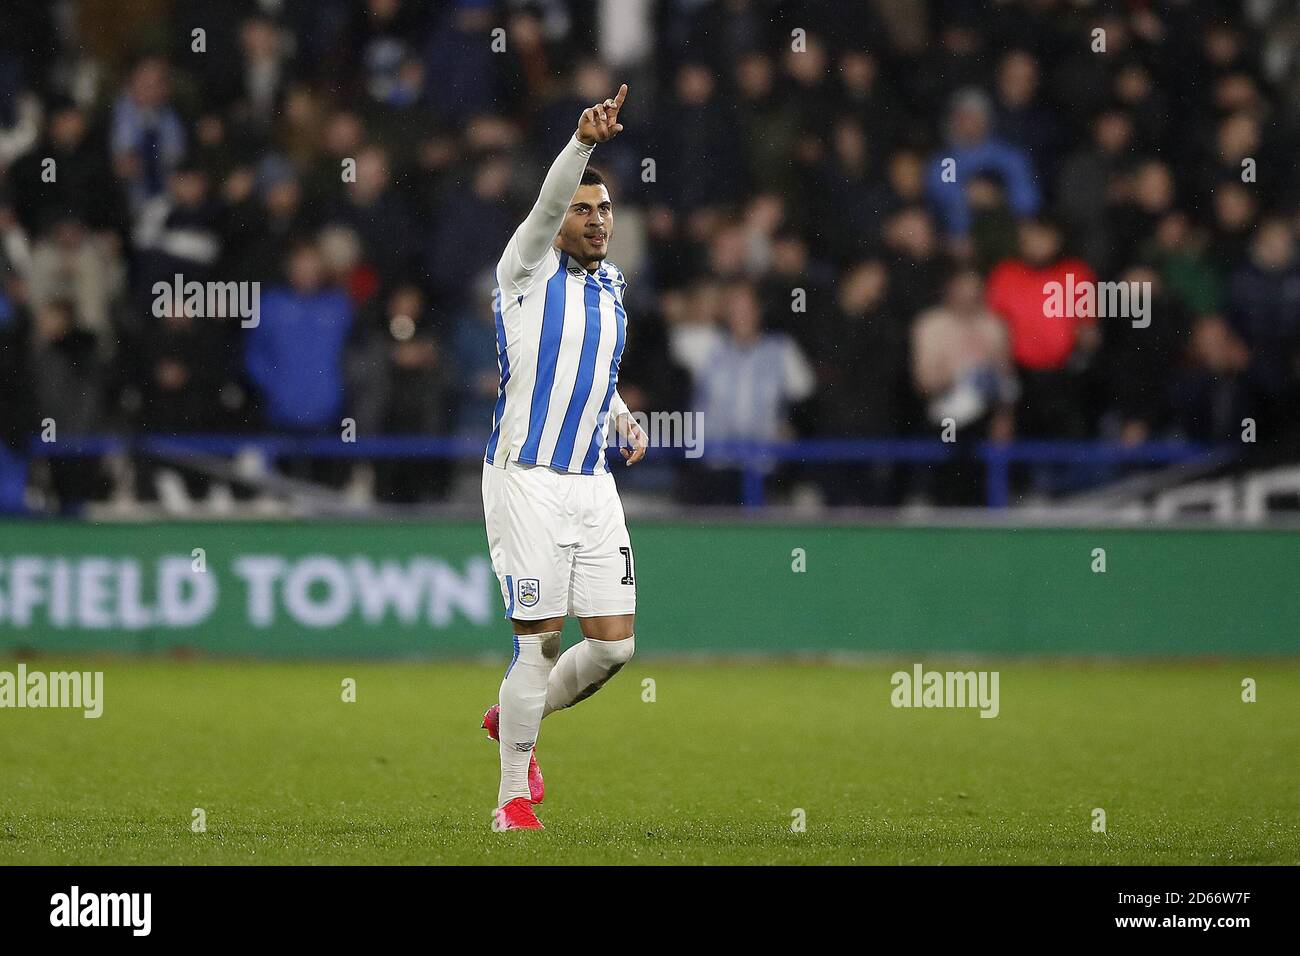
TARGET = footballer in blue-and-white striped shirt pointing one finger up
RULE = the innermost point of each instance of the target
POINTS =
(556, 526)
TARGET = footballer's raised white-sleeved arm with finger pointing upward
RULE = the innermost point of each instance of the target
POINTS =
(528, 246)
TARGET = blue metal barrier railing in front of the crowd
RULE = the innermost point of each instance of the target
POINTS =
(752, 458)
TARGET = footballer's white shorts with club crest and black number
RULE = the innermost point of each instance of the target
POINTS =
(558, 542)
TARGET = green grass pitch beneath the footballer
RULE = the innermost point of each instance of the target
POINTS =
(709, 773)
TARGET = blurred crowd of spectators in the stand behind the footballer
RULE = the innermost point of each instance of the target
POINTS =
(837, 219)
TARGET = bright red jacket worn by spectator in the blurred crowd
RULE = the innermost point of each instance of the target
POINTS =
(1019, 293)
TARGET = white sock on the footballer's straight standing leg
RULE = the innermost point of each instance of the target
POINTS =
(523, 695)
